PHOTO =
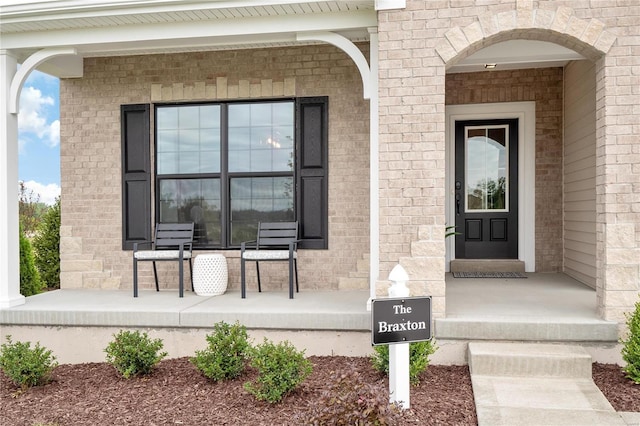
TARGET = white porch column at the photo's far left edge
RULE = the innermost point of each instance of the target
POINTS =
(9, 241)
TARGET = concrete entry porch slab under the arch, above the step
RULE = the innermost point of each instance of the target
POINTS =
(544, 307)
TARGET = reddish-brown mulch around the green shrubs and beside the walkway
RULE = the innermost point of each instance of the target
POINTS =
(177, 394)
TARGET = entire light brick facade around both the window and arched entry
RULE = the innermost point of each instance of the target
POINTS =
(417, 44)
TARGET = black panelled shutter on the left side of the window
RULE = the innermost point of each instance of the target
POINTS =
(136, 175)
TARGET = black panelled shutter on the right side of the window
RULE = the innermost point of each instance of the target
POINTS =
(312, 172)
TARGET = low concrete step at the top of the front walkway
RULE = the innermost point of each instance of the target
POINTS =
(529, 359)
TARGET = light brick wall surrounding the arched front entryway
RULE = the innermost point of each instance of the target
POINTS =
(417, 45)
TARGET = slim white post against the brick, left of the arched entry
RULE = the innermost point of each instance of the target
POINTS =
(374, 167)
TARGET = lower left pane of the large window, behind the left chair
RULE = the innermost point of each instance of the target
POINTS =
(193, 200)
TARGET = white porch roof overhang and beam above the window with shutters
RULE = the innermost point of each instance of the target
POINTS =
(136, 27)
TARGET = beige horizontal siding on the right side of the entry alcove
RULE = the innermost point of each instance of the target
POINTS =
(579, 173)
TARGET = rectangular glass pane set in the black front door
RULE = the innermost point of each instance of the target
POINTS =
(486, 168)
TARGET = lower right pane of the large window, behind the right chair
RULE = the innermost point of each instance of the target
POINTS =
(259, 199)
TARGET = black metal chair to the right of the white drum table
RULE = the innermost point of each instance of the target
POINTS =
(276, 241)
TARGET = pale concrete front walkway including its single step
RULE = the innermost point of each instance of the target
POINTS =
(538, 384)
